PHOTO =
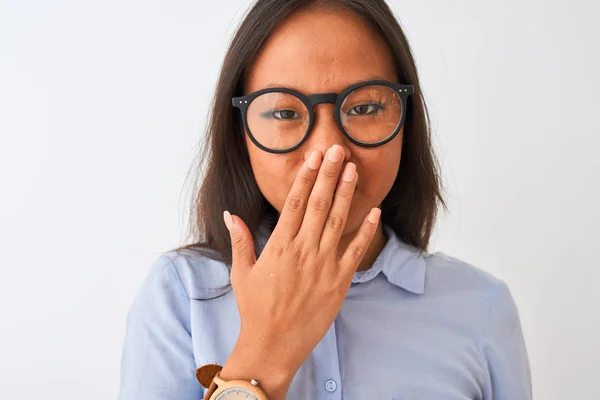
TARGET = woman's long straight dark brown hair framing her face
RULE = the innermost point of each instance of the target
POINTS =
(410, 208)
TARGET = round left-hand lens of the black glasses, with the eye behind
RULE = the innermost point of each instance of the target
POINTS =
(277, 120)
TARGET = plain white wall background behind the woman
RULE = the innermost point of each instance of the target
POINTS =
(101, 107)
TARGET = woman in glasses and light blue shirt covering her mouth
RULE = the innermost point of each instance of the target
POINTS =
(318, 284)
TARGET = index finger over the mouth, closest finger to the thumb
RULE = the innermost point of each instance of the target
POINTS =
(292, 214)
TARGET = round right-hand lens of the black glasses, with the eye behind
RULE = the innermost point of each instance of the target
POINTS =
(372, 113)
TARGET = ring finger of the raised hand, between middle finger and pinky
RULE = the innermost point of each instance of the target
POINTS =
(338, 215)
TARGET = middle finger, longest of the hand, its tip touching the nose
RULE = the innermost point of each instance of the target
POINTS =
(321, 197)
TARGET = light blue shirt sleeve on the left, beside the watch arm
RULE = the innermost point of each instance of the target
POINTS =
(157, 359)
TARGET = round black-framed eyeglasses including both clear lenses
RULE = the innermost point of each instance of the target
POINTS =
(369, 113)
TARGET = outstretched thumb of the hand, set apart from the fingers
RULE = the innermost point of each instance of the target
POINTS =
(242, 245)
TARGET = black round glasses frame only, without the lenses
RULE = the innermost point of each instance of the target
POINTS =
(403, 92)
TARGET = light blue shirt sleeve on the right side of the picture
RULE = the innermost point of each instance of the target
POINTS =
(503, 346)
